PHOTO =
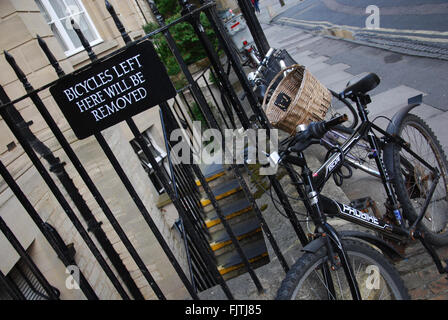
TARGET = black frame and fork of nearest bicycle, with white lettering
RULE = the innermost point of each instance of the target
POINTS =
(320, 206)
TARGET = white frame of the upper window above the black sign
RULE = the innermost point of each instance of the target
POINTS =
(65, 37)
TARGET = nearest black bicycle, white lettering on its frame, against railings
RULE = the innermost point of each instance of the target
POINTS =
(339, 265)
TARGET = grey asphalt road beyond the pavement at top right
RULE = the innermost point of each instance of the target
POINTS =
(419, 26)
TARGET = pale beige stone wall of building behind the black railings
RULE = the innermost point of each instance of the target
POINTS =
(20, 21)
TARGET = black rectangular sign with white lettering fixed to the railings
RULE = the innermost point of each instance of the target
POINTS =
(113, 90)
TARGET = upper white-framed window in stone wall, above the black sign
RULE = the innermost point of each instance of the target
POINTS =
(58, 15)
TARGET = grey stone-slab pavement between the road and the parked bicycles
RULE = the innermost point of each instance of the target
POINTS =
(334, 62)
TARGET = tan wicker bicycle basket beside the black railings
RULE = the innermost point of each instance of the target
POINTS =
(299, 98)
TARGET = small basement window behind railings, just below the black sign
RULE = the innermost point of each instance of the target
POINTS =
(158, 154)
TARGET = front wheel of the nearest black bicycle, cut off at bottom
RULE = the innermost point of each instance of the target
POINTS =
(377, 278)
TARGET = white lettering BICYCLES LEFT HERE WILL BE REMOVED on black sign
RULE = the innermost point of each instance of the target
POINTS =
(122, 83)
